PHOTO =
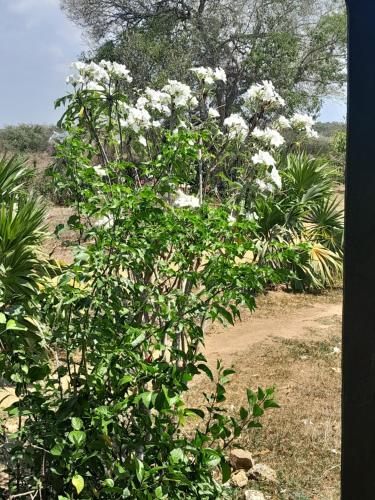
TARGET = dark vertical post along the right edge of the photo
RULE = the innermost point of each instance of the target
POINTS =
(358, 458)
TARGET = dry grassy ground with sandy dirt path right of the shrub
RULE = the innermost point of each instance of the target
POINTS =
(292, 343)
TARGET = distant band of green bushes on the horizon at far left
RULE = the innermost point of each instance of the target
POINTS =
(25, 138)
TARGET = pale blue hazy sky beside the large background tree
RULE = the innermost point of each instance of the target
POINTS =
(37, 45)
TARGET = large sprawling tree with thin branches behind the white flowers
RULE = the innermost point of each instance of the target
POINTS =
(299, 45)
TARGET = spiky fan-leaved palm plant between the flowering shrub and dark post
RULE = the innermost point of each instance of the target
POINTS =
(306, 215)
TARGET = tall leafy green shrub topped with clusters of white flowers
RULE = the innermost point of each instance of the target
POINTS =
(105, 416)
